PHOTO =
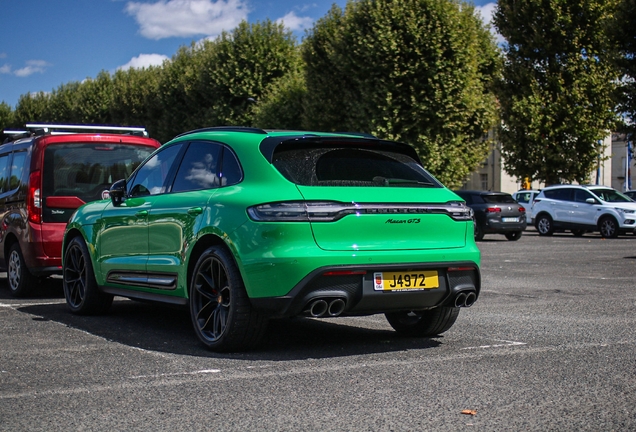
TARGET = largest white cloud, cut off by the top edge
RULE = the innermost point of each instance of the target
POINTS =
(184, 18)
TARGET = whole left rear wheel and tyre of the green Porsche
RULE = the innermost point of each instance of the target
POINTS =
(221, 312)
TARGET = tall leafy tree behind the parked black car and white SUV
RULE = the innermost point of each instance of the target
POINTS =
(557, 87)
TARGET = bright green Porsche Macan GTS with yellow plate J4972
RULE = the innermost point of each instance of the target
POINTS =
(245, 225)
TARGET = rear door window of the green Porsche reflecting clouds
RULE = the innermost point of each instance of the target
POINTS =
(199, 168)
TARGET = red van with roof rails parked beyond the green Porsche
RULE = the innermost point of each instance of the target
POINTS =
(46, 172)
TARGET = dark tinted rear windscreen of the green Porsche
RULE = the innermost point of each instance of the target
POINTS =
(350, 166)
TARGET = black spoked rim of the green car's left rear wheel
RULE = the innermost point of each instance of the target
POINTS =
(211, 299)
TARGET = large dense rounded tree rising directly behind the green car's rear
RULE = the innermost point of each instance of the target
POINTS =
(418, 71)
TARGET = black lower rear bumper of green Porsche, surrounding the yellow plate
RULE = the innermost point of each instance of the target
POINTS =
(354, 285)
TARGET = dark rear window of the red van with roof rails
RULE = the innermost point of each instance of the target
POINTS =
(84, 171)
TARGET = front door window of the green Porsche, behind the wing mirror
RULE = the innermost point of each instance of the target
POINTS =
(151, 177)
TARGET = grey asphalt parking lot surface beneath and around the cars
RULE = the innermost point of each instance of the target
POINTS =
(549, 345)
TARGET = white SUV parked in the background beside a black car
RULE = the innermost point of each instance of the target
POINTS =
(582, 208)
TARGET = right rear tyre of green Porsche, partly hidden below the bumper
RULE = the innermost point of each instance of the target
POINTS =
(426, 323)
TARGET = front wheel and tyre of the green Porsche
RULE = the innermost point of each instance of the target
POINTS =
(83, 296)
